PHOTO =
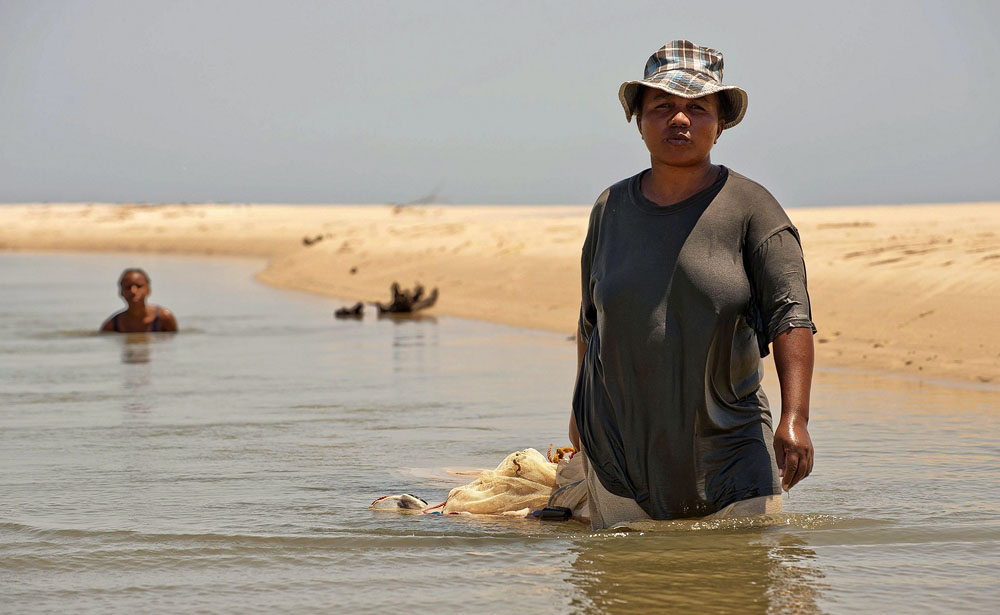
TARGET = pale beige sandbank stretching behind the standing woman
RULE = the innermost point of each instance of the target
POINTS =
(914, 289)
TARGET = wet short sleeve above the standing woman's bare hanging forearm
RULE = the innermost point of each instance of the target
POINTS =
(780, 299)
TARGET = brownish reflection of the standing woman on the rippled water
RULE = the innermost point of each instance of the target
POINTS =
(745, 571)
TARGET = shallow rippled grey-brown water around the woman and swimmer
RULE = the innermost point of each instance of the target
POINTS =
(229, 468)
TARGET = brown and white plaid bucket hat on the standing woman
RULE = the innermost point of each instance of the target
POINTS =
(680, 67)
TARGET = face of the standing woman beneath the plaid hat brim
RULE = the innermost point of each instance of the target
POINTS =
(679, 131)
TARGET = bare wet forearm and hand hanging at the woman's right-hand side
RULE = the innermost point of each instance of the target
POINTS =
(793, 359)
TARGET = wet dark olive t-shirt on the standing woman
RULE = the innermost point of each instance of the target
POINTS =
(679, 305)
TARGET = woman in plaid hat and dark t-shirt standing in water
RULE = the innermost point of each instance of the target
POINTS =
(689, 271)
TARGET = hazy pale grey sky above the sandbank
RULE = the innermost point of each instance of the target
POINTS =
(499, 102)
